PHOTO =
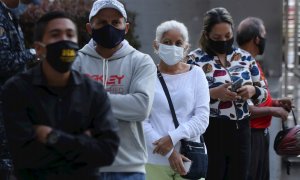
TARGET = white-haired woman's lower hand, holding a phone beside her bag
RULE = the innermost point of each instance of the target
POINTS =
(176, 162)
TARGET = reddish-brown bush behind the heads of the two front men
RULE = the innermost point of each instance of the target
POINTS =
(78, 10)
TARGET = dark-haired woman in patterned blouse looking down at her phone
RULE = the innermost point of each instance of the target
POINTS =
(233, 78)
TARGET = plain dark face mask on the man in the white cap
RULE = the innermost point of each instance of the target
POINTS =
(108, 36)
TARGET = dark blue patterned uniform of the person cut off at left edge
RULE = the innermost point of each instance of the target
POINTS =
(13, 57)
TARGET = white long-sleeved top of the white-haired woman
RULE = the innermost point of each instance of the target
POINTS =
(190, 96)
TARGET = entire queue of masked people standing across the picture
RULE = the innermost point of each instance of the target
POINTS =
(61, 124)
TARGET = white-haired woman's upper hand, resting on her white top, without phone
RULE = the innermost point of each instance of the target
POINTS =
(163, 145)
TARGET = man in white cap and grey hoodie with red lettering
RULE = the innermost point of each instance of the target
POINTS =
(128, 76)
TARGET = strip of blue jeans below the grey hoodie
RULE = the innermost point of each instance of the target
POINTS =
(122, 176)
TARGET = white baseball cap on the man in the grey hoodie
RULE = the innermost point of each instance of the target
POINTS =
(101, 4)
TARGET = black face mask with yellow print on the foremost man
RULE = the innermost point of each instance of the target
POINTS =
(60, 55)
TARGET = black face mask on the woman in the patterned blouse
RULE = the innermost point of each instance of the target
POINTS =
(220, 47)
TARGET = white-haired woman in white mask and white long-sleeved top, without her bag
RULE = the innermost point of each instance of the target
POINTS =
(188, 89)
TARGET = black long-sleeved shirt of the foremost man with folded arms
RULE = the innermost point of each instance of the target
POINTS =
(82, 105)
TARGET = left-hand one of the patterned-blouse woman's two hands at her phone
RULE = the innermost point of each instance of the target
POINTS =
(223, 93)
